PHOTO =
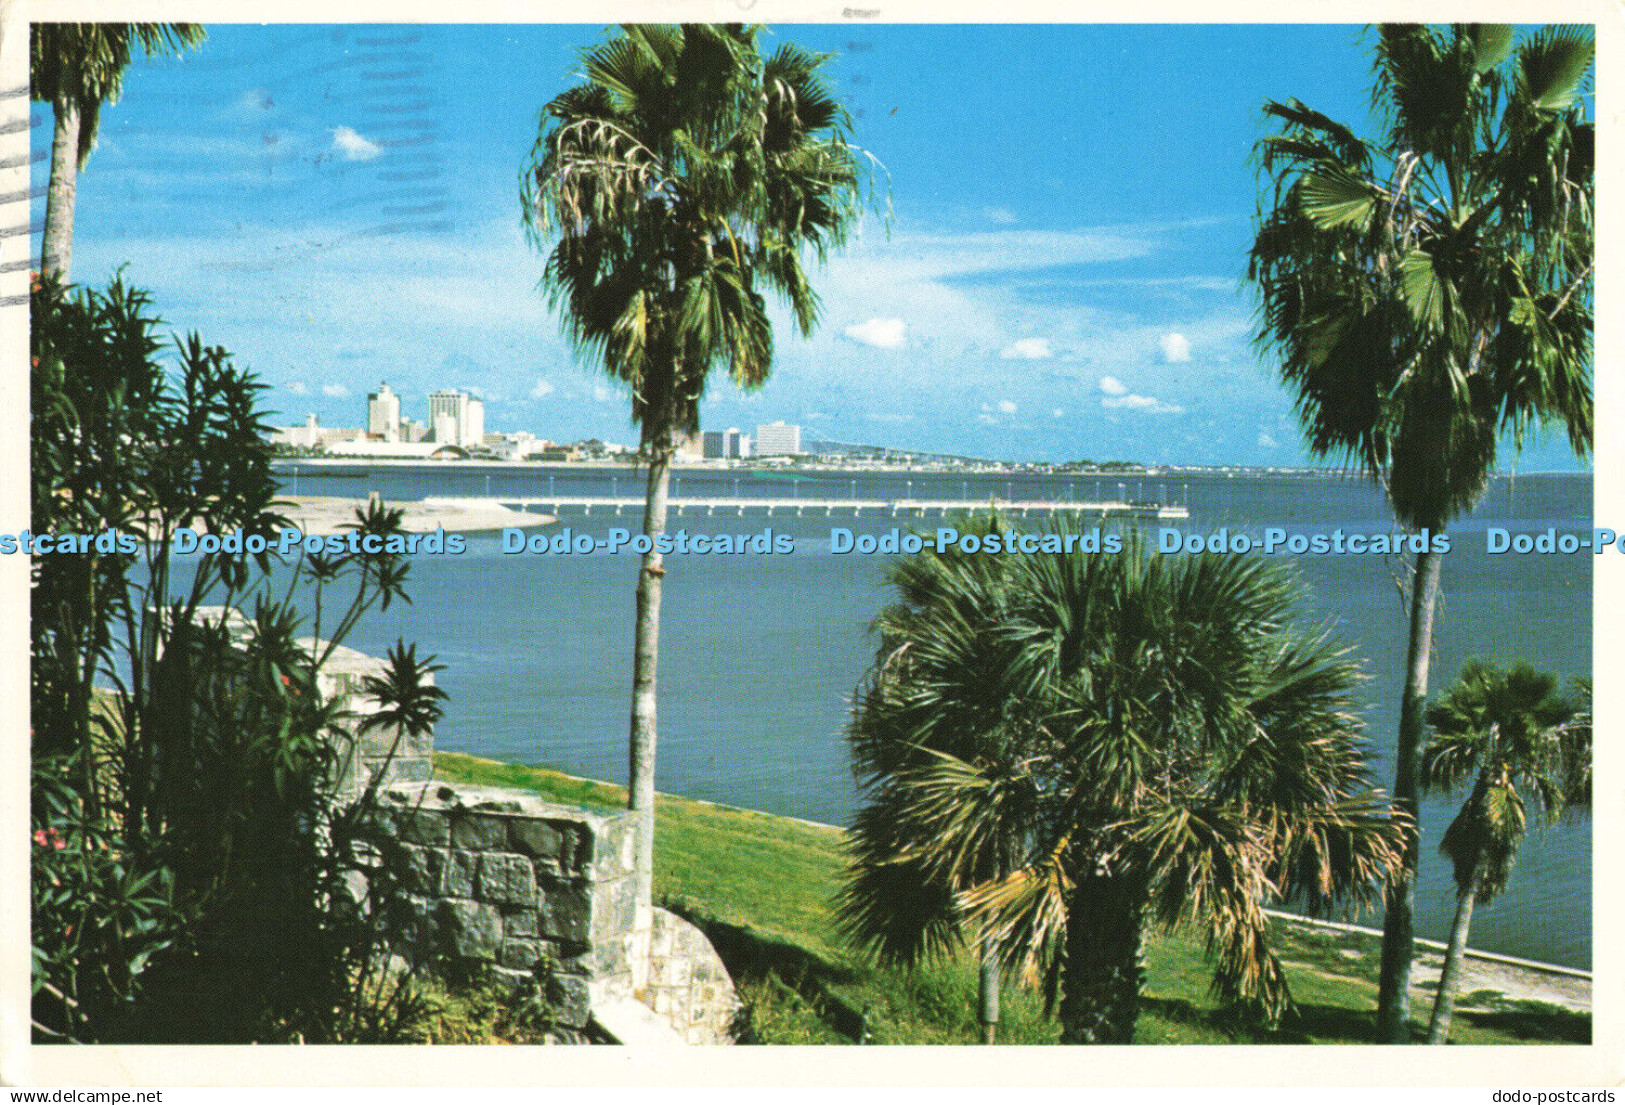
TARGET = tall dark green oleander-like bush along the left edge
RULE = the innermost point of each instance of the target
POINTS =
(207, 882)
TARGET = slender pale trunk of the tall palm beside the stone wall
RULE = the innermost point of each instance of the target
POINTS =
(646, 652)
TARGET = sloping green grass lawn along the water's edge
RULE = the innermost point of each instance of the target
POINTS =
(761, 888)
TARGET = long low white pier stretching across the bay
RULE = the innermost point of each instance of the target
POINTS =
(830, 508)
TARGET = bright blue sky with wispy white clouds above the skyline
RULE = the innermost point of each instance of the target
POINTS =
(1062, 277)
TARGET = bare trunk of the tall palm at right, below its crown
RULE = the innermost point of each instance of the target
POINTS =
(1393, 1005)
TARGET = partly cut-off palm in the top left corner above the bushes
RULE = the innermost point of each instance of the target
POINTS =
(77, 67)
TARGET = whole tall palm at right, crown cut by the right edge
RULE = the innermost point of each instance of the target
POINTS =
(1429, 293)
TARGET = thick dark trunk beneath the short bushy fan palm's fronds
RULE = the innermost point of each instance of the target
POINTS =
(1104, 969)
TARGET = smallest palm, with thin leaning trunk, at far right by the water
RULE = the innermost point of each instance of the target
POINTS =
(1512, 735)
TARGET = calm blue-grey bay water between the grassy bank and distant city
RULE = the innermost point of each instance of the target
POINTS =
(760, 654)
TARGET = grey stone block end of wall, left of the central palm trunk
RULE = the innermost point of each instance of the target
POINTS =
(513, 888)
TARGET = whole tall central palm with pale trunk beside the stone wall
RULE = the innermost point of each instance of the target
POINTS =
(677, 184)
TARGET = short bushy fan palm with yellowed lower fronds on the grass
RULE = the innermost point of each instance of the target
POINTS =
(1064, 750)
